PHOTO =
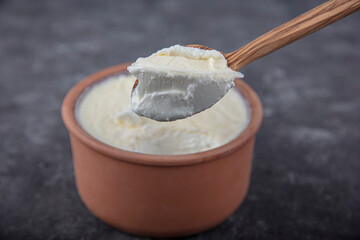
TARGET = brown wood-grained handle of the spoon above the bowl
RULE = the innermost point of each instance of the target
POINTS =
(291, 31)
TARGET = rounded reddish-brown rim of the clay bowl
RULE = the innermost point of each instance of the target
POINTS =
(68, 115)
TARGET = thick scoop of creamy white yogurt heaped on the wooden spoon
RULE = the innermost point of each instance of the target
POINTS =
(178, 81)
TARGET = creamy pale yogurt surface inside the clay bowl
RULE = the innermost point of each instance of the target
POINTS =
(104, 111)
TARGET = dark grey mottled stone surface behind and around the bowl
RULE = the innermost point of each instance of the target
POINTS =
(306, 172)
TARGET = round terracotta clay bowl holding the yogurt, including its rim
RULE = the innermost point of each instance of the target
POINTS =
(160, 195)
